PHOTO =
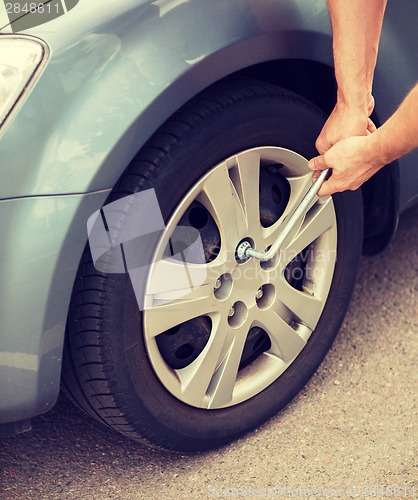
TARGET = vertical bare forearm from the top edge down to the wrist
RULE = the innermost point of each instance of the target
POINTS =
(356, 26)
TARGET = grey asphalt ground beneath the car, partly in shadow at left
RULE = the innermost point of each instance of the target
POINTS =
(351, 432)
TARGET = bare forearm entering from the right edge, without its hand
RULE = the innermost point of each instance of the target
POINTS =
(398, 135)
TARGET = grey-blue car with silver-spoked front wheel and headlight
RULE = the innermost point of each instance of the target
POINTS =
(126, 126)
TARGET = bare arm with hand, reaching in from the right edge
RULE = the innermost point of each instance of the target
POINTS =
(356, 159)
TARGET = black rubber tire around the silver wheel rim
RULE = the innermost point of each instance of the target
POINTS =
(106, 368)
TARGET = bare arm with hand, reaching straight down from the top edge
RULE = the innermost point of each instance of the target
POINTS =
(356, 26)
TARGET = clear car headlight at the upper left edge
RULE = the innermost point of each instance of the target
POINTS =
(22, 59)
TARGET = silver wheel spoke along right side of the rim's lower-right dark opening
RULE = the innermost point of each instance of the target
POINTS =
(285, 342)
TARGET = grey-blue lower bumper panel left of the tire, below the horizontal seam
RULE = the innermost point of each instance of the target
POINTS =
(37, 268)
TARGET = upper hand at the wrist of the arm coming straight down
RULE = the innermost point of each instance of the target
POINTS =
(345, 121)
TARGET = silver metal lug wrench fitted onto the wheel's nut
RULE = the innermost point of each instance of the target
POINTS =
(245, 250)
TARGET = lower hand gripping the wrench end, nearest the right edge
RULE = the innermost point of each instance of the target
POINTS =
(352, 161)
